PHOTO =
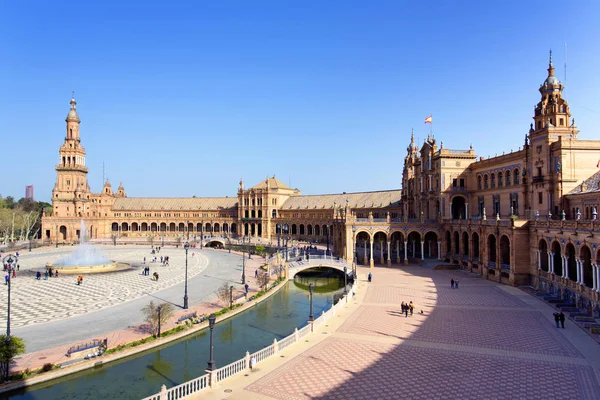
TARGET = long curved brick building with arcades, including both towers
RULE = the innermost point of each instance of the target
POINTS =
(526, 217)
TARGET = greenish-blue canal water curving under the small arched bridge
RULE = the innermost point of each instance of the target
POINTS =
(143, 374)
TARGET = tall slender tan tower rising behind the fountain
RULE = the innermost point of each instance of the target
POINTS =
(71, 189)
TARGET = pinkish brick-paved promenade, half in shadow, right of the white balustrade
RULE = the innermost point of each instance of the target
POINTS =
(481, 341)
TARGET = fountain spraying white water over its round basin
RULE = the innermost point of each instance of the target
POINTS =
(86, 259)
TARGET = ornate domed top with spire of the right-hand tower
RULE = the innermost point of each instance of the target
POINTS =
(552, 115)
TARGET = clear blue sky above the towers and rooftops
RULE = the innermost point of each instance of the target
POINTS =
(185, 98)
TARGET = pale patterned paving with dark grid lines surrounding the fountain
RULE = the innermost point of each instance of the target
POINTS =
(35, 302)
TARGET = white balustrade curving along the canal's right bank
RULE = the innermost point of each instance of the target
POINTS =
(240, 366)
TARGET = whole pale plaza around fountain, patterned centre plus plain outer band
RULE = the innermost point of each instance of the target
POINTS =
(51, 315)
